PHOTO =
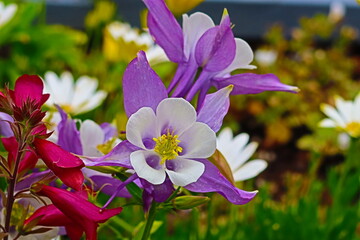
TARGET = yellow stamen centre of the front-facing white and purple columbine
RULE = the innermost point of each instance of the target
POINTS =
(167, 146)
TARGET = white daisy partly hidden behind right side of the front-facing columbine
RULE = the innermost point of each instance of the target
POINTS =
(237, 151)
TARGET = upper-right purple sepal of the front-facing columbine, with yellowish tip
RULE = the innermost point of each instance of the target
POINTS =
(214, 108)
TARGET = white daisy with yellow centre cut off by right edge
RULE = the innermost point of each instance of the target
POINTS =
(346, 116)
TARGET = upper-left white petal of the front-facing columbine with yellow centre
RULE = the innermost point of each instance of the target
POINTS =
(140, 126)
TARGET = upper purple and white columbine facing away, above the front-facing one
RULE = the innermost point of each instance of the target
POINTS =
(199, 44)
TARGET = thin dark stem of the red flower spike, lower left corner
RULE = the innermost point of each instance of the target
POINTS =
(11, 188)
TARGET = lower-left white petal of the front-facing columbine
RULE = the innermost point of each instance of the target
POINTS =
(144, 170)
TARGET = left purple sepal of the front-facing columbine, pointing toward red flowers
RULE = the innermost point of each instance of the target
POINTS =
(119, 156)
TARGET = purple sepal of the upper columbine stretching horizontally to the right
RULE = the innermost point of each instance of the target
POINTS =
(250, 83)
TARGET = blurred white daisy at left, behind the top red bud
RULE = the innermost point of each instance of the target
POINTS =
(74, 98)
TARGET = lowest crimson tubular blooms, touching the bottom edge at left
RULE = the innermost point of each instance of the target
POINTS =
(72, 211)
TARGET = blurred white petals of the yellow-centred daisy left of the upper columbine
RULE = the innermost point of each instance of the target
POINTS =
(154, 53)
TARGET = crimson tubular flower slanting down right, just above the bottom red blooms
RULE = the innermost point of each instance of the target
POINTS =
(65, 165)
